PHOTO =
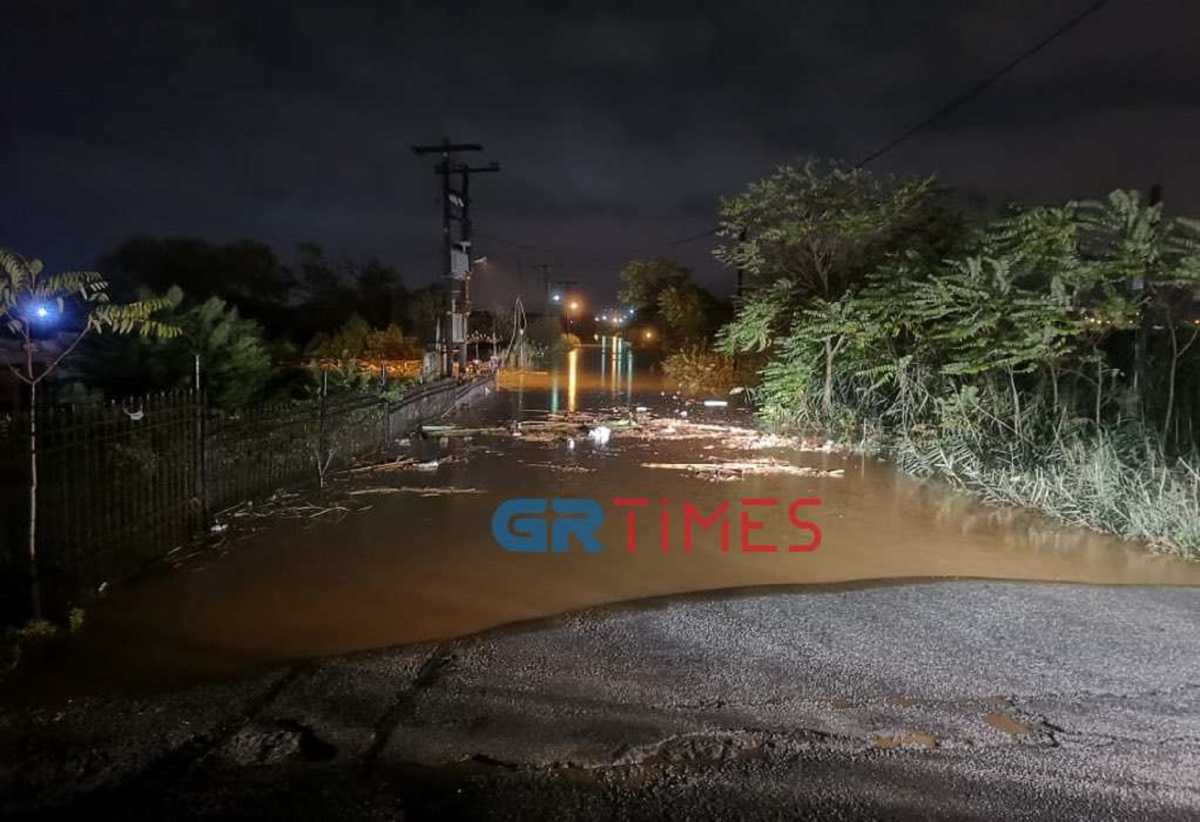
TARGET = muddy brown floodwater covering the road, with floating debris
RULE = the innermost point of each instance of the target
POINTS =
(428, 568)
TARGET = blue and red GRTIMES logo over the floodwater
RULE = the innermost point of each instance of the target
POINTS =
(524, 525)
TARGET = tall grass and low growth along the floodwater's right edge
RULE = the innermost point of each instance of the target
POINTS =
(1117, 478)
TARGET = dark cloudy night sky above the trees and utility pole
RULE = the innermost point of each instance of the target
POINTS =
(619, 128)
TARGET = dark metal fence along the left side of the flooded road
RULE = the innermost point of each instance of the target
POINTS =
(123, 484)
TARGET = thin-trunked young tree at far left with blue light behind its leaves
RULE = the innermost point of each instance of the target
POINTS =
(31, 303)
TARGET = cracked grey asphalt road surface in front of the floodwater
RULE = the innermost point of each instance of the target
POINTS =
(949, 700)
